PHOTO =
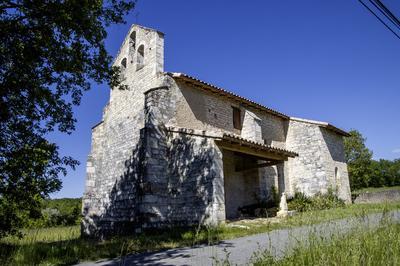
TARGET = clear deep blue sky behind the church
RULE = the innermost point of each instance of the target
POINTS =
(323, 60)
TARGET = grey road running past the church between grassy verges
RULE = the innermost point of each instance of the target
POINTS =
(241, 250)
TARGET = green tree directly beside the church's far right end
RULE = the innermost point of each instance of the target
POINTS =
(359, 159)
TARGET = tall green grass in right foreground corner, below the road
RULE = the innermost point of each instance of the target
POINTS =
(380, 246)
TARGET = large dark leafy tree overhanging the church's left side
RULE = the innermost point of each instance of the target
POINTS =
(49, 52)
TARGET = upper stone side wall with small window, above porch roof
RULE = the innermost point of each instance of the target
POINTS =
(198, 109)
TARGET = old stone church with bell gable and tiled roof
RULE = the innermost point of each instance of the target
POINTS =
(173, 150)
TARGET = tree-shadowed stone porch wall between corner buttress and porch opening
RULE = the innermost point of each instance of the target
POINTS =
(195, 180)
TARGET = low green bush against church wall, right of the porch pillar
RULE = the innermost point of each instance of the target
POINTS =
(301, 203)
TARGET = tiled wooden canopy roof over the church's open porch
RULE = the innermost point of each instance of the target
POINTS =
(271, 154)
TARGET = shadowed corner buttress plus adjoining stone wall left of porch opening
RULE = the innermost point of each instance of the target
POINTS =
(182, 184)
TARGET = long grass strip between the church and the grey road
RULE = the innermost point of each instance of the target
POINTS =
(63, 245)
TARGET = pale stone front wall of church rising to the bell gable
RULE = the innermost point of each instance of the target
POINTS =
(110, 201)
